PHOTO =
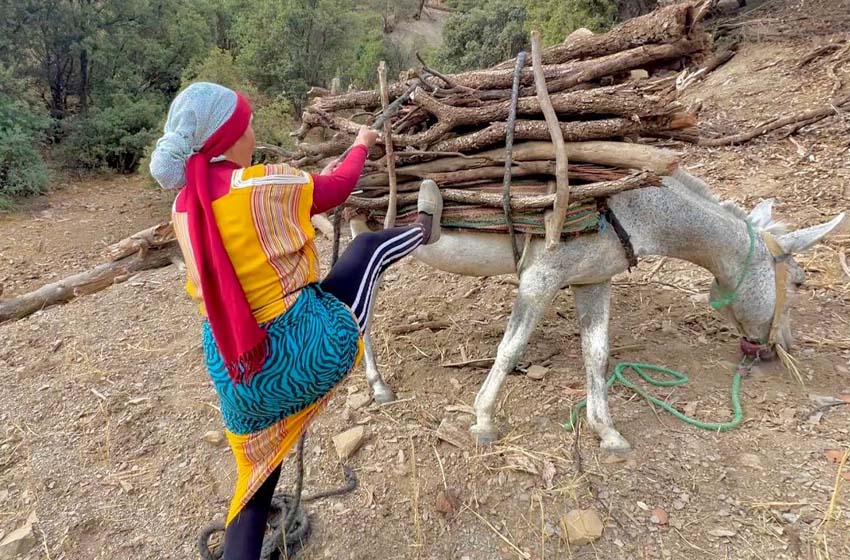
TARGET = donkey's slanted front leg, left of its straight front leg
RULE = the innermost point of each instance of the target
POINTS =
(537, 288)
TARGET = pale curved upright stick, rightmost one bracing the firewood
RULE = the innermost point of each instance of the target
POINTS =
(555, 223)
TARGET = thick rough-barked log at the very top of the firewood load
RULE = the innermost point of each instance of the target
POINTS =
(660, 26)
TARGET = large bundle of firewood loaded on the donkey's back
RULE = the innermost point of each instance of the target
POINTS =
(608, 91)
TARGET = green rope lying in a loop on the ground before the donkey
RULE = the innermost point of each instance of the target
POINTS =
(677, 379)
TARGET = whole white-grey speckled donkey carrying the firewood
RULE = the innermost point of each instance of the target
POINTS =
(681, 219)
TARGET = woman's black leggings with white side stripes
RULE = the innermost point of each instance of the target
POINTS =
(353, 281)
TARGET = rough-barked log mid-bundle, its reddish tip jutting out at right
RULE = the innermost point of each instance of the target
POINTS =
(575, 131)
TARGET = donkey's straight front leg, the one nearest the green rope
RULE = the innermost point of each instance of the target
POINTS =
(593, 306)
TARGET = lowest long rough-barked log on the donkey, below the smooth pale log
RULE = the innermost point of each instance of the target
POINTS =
(519, 203)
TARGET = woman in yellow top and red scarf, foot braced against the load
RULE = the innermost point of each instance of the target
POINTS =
(277, 340)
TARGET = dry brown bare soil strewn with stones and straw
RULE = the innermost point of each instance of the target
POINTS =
(106, 400)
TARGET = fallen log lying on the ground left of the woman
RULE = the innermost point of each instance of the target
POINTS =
(84, 283)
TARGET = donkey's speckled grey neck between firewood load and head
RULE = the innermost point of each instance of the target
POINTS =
(685, 225)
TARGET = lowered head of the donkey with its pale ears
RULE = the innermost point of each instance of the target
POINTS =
(763, 296)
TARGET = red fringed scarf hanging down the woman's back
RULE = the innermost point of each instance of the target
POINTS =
(241, 342)
